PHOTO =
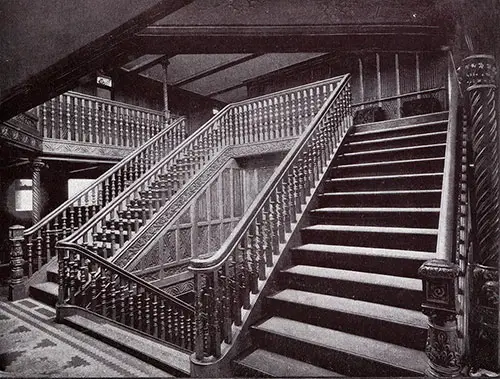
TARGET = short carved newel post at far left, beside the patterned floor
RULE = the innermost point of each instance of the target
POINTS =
(16, 282)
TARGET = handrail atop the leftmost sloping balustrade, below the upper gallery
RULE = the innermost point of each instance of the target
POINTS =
(45, 220)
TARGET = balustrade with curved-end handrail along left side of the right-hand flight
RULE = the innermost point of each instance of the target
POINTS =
(224, 281)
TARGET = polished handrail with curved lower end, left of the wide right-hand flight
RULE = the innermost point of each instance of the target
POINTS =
(216, 260)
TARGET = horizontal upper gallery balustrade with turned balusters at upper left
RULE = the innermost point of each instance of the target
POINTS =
(82, 118)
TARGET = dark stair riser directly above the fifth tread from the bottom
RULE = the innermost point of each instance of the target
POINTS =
(371, 239)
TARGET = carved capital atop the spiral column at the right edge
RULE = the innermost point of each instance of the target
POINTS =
(478, 71)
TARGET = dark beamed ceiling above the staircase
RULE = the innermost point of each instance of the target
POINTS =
(213, 46)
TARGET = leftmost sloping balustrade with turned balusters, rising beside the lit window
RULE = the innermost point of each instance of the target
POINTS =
(40, 239)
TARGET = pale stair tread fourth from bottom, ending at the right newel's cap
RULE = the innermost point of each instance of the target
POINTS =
(357, 277)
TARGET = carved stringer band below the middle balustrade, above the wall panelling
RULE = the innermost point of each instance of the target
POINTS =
(139, 246)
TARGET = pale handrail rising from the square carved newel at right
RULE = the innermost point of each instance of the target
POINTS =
(447, 212)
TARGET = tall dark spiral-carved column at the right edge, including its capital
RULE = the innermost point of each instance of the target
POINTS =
(478, 76)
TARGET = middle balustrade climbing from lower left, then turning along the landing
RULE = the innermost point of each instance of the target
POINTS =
(266, 118)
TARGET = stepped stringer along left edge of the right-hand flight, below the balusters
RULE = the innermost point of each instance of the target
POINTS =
(241, 338)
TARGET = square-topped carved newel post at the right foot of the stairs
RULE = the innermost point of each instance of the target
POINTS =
(440, 284)
